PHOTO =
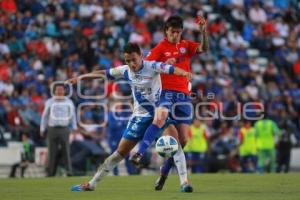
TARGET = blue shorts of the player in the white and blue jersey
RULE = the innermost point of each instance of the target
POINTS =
(137, 127)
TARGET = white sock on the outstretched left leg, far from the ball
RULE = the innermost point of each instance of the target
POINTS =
(109, 163)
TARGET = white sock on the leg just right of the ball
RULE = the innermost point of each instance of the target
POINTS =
(180, 162)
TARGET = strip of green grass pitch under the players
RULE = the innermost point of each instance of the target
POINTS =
(206, 187)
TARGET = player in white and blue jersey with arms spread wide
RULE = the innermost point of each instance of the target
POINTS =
(144, 79)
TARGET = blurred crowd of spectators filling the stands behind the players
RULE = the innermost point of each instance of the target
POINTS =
(254, 57)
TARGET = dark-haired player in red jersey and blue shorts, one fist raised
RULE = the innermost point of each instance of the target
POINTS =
(175, 97)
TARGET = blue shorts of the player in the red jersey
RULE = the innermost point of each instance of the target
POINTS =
(179, 105)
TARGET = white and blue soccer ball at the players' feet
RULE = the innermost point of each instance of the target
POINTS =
(166, 146)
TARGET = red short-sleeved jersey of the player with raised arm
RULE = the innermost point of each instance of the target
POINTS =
(182, 52)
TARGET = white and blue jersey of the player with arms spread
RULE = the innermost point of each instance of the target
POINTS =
(145, 84)
